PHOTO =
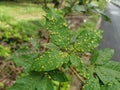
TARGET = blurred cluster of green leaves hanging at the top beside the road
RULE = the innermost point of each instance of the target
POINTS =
(87, 6)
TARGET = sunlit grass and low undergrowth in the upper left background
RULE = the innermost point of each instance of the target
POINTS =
(18, 23)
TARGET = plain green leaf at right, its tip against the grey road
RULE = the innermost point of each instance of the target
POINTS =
(104, 56)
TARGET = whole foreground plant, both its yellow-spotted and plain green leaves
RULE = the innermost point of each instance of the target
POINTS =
(54, 50)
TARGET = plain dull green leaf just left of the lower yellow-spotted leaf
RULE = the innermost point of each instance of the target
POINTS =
(24, 57)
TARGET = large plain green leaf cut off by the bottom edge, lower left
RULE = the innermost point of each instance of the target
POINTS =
(32, 82)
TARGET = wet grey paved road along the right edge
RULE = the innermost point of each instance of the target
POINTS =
(111, 35)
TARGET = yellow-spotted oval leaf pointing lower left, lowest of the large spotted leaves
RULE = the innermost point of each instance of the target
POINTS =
(50, 60)
